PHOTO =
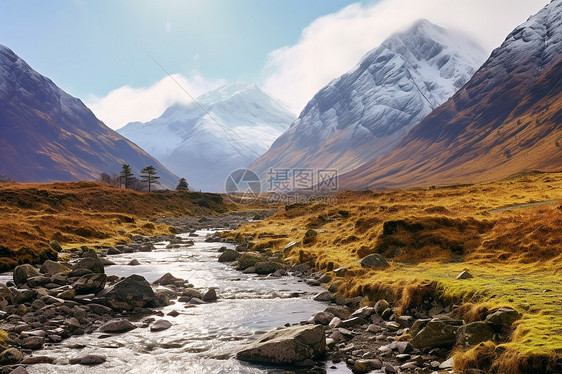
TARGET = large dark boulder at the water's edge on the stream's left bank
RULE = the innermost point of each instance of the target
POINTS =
(128, 294)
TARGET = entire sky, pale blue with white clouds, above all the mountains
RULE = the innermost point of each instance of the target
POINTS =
(125, 58)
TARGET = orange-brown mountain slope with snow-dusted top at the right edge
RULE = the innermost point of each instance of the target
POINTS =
(505, 120)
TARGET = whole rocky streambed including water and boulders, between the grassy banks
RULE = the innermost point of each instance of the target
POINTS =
(105, 307)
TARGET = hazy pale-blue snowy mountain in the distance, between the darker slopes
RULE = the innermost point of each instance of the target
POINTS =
(226, 129)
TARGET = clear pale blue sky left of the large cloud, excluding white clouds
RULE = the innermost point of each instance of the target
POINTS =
(92, 47)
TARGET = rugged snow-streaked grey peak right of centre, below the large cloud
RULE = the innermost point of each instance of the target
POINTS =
(365, 113)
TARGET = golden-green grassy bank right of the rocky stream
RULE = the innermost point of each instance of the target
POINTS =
(501, 232)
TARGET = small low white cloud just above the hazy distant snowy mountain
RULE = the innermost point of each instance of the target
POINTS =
(127, 104)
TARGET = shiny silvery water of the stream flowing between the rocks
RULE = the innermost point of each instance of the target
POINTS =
(203, 339)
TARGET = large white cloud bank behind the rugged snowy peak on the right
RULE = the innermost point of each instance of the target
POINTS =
(334, 44)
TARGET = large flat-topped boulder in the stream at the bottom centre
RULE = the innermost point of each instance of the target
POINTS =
(287, 346)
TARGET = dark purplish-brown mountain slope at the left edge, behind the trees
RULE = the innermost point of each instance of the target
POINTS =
(47, 135)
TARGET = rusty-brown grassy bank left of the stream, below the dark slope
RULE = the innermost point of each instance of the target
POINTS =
(85, 213)
